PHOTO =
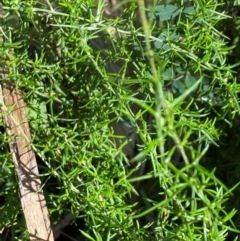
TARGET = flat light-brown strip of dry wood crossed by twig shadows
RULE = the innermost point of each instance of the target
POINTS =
(17, 127)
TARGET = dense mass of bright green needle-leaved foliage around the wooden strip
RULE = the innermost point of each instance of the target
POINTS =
(186, 96)
